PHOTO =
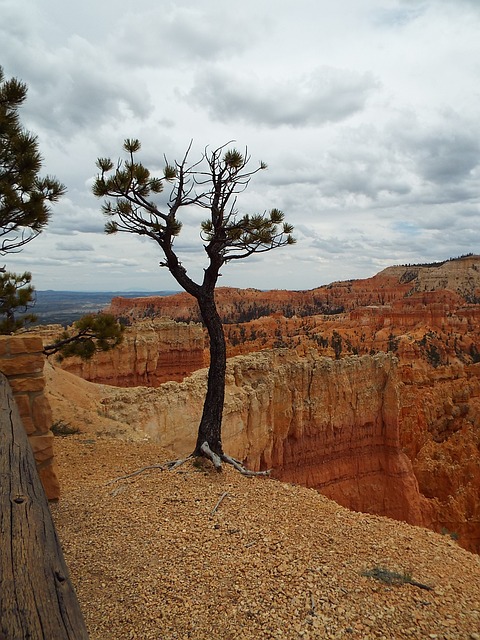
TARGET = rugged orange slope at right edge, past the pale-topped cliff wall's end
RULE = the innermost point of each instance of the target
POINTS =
(440, 433)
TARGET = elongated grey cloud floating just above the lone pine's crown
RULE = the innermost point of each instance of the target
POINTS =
(324, 95)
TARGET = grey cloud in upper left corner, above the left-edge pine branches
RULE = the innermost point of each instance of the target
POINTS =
(71, 88)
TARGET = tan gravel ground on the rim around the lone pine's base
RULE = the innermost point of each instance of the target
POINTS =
(195, 554)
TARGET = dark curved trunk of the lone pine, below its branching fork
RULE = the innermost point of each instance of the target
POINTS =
(210, 428)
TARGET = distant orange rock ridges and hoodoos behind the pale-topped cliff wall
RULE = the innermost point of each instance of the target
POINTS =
(387, 312)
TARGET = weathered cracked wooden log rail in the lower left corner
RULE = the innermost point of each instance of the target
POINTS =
(37, 598)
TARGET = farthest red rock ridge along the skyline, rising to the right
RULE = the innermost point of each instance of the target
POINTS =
(461, 276)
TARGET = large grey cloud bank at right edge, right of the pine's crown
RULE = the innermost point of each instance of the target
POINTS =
(430, 160)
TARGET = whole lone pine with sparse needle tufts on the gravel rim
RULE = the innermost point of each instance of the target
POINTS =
(212, 183)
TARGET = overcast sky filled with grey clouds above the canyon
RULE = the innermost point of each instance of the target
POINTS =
(365, 111)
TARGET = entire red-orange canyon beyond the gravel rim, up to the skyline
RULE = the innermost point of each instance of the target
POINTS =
(367, 390)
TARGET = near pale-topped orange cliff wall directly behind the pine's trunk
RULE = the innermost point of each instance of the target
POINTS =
(331, 425)
